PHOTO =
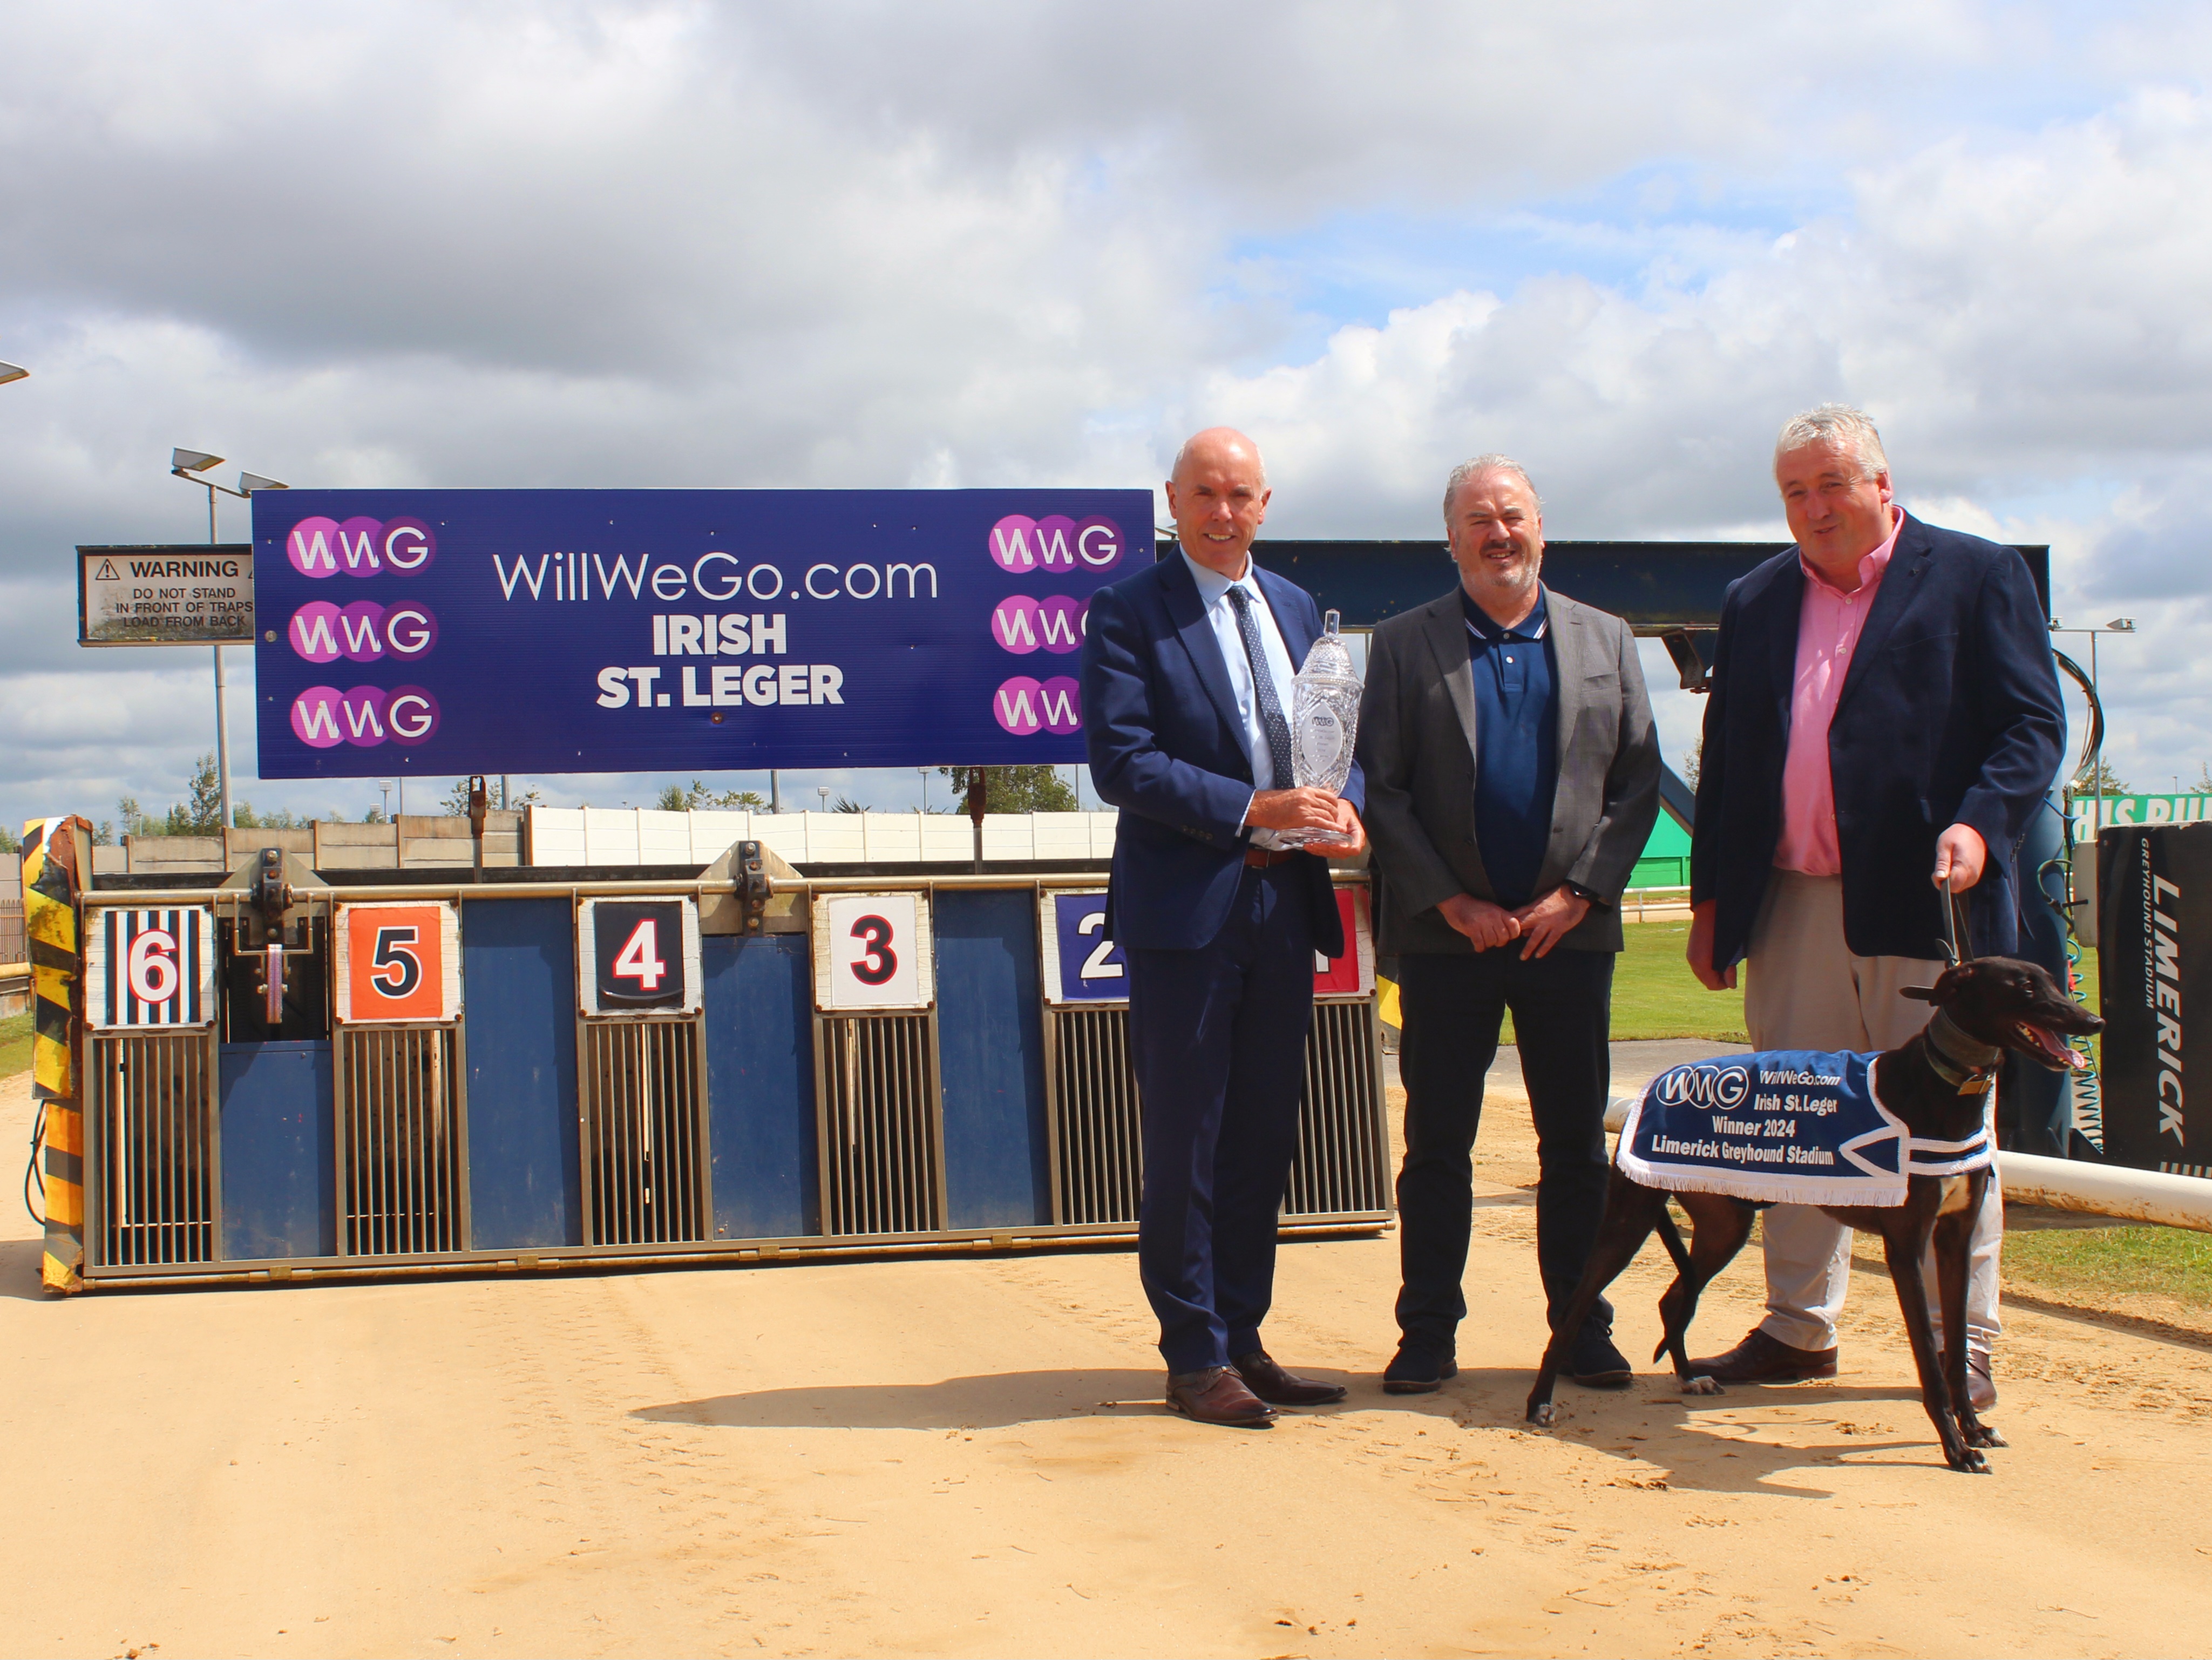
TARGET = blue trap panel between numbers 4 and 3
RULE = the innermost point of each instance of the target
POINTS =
(760, 1086)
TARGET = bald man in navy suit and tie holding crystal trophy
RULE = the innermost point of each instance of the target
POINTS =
(1187, 714)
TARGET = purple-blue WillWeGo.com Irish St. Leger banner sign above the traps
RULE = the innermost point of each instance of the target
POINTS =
(685, 630)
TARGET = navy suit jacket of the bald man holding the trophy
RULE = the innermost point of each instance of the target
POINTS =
(1169, 751)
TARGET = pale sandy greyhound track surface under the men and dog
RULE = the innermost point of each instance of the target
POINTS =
(912, 1457)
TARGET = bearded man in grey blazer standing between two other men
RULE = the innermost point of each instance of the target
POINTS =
(1512, 785)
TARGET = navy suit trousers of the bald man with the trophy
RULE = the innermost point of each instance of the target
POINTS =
(1218, 1044)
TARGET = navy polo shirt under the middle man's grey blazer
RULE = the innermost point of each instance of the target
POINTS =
(1516, 745)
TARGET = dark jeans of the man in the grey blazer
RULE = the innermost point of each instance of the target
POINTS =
(1454, 1008)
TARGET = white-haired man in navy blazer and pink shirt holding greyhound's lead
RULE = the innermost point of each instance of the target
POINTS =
(1884, 712)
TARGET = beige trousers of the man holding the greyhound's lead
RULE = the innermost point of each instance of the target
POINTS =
(1804, 990)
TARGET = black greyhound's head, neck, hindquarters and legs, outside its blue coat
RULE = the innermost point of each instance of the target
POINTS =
(1939, 1086)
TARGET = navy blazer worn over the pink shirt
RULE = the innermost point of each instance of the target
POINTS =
(1950, 714)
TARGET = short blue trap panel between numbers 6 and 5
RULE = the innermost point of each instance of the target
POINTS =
(280, 1176)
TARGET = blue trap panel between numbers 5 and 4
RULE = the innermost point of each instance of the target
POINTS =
(519, 1008)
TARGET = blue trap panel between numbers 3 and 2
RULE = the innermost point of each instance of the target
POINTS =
(992, 1061)
